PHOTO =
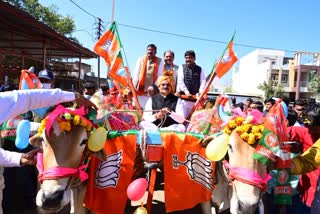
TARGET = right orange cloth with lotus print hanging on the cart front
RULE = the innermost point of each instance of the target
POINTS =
(188, 174)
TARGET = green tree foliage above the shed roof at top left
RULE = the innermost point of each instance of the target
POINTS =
(48, 15)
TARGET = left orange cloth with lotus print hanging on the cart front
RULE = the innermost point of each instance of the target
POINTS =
(108, 180)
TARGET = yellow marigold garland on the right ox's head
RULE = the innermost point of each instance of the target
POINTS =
(250, 133)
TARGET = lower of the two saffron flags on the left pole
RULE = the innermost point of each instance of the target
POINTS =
(118, 72)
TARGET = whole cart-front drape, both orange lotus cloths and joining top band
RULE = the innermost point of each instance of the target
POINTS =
(188, 174)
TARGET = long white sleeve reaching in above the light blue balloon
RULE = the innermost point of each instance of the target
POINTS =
(13, 103)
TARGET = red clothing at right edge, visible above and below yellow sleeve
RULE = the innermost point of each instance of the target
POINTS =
(308, 182)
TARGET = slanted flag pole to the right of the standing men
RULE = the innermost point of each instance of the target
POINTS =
(213, 74)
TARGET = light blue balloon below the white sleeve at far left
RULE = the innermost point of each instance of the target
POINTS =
(23, 132)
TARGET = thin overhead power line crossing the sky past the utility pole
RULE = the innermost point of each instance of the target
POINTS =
(181, 35)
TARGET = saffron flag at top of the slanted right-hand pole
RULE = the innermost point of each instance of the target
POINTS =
(227, 60)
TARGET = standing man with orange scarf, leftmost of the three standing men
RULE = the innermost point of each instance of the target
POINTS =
(146, 73)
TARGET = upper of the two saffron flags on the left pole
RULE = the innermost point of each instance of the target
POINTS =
(109, 45)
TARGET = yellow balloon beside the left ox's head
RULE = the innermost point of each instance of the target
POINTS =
(97, 139)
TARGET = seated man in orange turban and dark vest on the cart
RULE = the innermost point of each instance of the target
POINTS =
(160, 109)
